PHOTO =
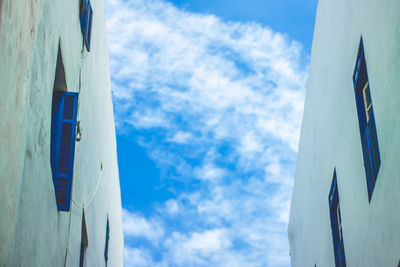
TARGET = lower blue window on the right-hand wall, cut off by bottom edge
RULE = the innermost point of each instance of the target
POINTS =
(336, 224)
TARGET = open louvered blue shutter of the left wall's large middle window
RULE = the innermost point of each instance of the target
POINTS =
(64, 140)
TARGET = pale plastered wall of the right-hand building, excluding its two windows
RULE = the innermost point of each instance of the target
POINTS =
(330, 138)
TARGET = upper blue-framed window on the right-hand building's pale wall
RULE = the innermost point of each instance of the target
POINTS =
(366, 121)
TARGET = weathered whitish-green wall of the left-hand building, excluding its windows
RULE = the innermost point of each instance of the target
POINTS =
(32, 231)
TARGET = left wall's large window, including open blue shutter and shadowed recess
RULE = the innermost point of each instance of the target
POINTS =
(62, 145)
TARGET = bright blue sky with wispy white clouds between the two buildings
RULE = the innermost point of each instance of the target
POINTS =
(208, 99)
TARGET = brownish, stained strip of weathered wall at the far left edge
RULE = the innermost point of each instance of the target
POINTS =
(17, 27)
